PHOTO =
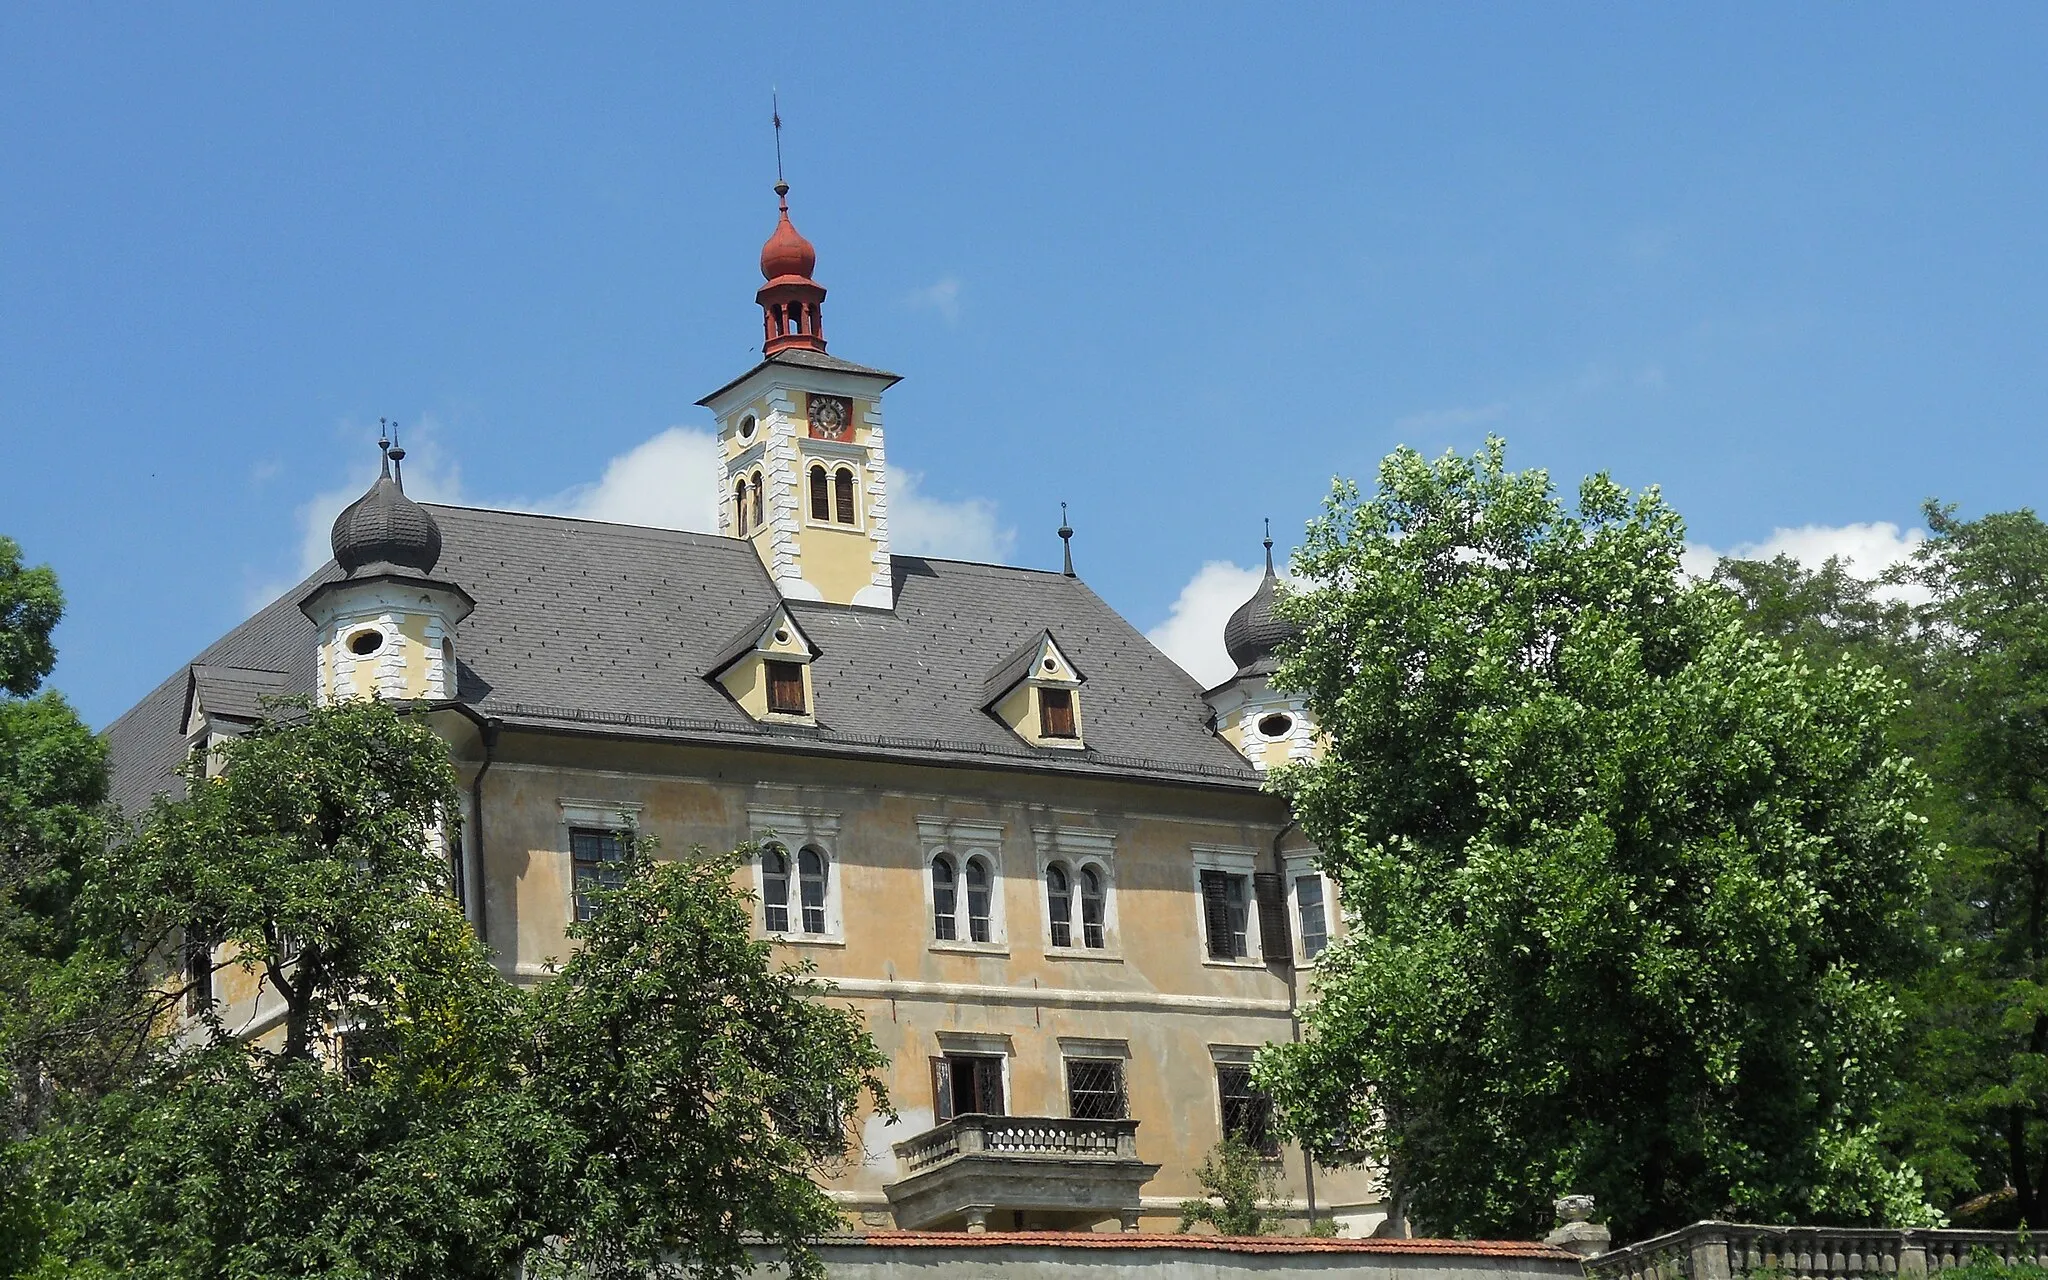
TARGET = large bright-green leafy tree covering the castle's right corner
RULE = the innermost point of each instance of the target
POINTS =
(1627, 882)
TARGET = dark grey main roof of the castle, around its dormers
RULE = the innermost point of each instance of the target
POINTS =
(615, 630)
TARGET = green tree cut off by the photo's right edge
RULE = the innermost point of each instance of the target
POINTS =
(1977, 1107)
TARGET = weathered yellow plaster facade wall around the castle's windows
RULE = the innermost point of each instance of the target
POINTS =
(1156, 955)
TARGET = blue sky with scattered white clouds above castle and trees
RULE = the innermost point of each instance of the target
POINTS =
(1175, 265)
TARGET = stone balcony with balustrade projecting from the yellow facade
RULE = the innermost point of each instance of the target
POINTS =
(1058, 1172)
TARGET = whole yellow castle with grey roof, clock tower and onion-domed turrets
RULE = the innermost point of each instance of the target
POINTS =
(1017, 837)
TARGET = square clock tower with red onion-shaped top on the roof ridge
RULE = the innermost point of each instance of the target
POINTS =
(802, 470)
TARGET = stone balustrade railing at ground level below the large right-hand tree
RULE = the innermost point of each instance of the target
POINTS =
(1738, 1250)
